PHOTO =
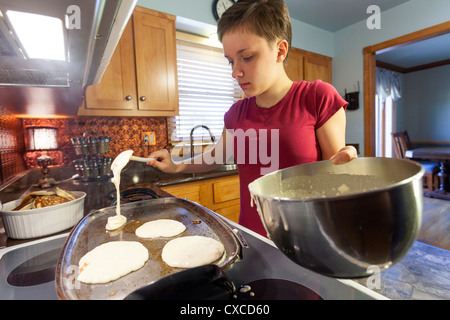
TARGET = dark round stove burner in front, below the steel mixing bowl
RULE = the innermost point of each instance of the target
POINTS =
(275, 289)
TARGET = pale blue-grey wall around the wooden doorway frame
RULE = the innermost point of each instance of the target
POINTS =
(349, 43)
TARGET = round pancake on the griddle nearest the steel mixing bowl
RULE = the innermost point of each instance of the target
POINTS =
(192, 251)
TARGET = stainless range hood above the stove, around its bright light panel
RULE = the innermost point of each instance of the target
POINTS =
(91, 30)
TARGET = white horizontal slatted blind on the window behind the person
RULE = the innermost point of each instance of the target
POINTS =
(206, 91)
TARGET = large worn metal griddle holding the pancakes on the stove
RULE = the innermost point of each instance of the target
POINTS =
(90, 232)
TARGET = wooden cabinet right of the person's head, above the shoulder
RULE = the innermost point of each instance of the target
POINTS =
(309, 66)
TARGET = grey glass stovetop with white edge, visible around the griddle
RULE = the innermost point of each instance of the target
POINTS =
(27, 272)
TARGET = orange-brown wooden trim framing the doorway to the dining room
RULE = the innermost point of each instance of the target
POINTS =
(370, 116)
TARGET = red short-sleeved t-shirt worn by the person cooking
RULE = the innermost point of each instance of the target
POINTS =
(269, 139)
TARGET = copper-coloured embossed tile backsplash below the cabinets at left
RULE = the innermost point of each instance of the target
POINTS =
(125, 133)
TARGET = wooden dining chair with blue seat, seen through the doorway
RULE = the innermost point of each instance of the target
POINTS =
(430, 178)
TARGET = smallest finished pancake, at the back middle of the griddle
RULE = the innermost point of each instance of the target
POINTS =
(160, 228)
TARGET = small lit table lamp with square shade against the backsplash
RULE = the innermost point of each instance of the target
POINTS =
(43, 139)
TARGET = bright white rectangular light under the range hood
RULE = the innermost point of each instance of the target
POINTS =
(42, 37)
